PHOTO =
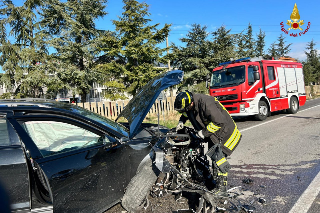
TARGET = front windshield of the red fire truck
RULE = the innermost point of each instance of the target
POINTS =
(227, 77)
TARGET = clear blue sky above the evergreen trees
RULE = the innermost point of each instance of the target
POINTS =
(234, 14)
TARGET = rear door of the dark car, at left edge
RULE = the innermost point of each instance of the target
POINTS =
(13, 167)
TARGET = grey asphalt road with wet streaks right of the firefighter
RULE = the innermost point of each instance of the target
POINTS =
(281, 158)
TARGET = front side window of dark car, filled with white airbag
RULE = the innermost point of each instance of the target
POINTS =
(53, 137)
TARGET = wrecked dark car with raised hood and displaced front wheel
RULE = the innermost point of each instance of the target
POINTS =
(63, 157)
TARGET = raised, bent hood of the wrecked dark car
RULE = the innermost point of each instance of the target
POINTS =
(138, 107)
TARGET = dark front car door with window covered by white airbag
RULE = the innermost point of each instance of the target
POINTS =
(81, 169)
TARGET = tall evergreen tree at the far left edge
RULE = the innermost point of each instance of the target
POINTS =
(23, 59)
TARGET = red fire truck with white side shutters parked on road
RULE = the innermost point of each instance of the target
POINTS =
(257, 86)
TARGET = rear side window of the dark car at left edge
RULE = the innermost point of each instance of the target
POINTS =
(8, 136)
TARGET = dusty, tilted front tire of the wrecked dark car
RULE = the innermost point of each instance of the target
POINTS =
(139, 186)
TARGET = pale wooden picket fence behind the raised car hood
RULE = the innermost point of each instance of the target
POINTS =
(111, 109)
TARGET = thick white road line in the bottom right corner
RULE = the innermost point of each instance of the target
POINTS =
(308, 196)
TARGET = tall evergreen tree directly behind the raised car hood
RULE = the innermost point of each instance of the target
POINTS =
(134, 50)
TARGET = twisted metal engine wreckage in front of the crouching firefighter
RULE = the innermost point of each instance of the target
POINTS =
(185, 168)
